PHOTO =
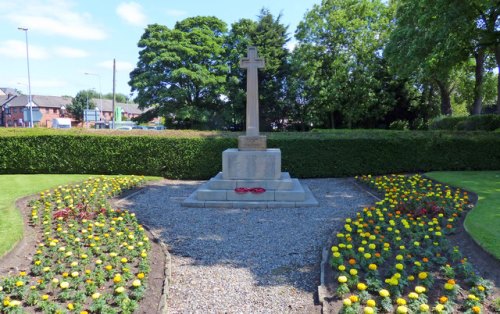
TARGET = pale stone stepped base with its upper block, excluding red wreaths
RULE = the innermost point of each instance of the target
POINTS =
(251, 169)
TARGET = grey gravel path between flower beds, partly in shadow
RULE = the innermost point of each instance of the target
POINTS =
(246, 260)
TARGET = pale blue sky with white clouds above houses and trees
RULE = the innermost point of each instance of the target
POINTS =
(67, 38)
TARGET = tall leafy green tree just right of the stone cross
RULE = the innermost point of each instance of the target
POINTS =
(341, 42)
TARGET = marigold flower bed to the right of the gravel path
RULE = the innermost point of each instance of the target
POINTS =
(395, 257)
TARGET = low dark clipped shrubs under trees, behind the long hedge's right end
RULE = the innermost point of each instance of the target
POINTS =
(487, 122)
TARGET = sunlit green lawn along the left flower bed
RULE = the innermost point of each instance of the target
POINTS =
(13, 187)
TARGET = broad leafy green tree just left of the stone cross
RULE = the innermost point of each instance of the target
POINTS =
(181, 72)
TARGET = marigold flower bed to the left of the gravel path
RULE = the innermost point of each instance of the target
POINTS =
(90, 257)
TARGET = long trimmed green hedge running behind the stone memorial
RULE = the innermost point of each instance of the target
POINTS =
(200, 158)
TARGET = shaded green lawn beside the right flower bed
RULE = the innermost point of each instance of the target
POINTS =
(483, 222)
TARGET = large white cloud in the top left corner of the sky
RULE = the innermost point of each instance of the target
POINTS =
(54, 17)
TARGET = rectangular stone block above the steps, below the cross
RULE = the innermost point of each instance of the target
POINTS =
(251, 165)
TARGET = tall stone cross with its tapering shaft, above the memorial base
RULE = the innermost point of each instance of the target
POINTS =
(252, 63)
